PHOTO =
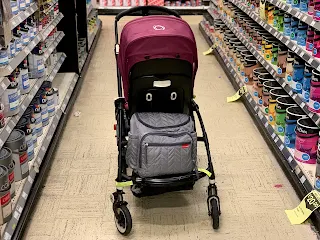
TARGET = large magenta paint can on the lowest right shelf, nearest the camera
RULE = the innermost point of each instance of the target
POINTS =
(307, 135)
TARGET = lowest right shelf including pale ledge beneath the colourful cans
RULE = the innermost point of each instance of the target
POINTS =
(303, 171)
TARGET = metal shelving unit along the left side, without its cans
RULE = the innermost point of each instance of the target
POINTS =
(65, 70)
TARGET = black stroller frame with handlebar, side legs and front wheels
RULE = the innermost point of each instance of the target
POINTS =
(122, 216)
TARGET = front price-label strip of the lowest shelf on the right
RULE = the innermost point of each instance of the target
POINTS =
(283, 155)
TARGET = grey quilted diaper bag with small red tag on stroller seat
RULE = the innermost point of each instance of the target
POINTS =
(161, 144)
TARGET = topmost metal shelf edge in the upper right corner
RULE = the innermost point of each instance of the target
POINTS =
(305, 17)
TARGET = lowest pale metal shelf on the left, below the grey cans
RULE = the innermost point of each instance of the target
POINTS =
(65, 84)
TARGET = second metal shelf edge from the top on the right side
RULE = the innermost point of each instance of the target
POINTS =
(299, 50)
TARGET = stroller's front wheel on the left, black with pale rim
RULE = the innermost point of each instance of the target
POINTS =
(124, 220)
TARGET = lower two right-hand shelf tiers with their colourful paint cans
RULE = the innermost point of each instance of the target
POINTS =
(284, 111)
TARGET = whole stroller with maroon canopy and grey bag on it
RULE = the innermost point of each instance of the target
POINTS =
(156, 136)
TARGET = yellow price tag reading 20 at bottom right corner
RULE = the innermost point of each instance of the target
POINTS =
(309, 204)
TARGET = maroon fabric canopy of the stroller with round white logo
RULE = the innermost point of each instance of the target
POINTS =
(155, 37)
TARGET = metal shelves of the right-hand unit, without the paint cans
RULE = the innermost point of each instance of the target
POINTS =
(301, 175)
